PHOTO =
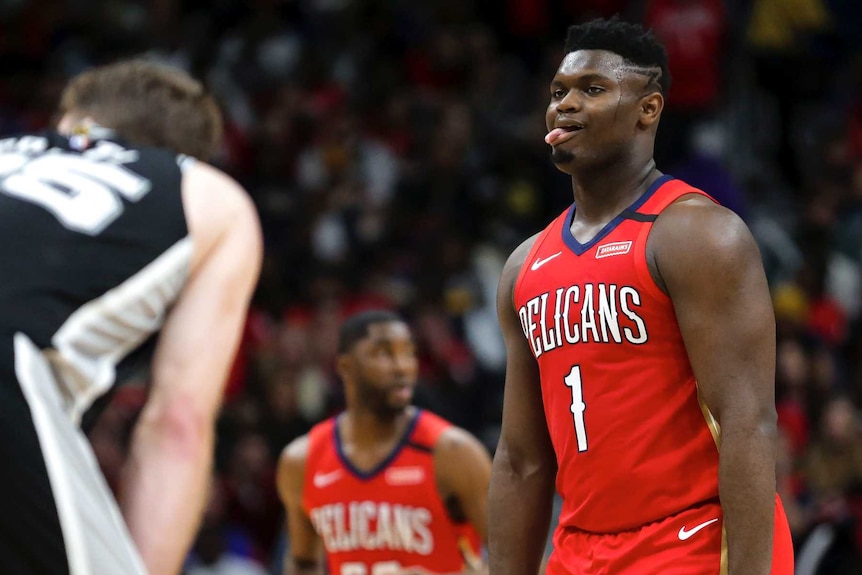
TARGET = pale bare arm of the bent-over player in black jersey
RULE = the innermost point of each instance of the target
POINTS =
(166, 477)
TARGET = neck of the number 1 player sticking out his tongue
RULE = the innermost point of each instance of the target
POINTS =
(602, 194)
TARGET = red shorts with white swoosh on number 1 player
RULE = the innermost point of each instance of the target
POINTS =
(690, 543)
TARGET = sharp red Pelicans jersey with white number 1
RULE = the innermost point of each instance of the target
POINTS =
(633, 440)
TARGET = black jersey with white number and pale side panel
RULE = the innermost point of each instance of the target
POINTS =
(94, 249)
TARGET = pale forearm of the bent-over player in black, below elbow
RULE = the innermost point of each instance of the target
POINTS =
(165, 486)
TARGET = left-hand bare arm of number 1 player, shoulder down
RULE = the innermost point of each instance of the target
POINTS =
(524, 467)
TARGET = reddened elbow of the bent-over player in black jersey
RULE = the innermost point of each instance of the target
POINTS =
(179, 425)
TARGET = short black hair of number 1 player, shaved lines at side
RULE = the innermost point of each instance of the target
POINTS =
(637, 45)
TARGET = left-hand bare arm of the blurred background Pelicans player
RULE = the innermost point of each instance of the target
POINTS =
(305, 544)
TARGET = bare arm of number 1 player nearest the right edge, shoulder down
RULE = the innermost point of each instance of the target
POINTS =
(711, 268)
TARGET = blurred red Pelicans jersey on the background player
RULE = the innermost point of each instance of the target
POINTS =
(392, 517)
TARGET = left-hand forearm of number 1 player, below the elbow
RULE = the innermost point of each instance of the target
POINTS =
(519, 513)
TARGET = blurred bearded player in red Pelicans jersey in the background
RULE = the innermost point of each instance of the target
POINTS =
(388, 489)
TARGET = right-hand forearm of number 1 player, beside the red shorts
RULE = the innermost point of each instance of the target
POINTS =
(747, 492)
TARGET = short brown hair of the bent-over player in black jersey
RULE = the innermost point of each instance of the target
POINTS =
(148, 104)
